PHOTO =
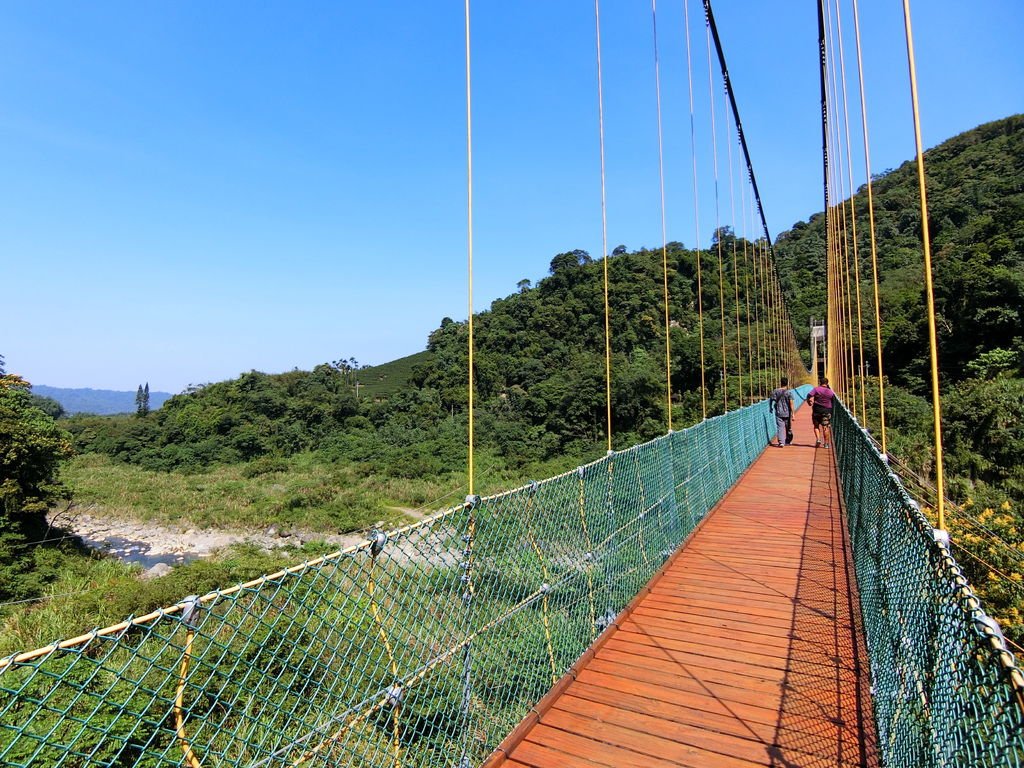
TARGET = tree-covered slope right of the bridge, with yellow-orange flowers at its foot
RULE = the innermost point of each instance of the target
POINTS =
(976, 221)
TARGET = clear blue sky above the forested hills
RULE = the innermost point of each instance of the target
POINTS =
(194, 190)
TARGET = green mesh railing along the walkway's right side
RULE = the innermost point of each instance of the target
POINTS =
(947, 692)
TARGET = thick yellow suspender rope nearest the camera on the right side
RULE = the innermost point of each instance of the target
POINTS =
(926, 239)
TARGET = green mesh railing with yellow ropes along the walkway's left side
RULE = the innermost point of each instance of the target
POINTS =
(423, 647)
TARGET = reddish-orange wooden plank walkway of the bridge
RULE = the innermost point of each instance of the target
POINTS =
(745, 651)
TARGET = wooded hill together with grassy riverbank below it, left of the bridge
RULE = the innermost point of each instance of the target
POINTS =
(344, 447)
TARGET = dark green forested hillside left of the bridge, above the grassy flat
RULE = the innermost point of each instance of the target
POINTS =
(540, 376)
